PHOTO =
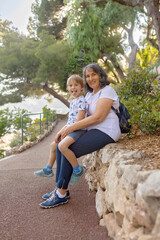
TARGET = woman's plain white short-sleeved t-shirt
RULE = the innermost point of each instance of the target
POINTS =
(110, 124)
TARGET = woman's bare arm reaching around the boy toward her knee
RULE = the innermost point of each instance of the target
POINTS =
(102, 109)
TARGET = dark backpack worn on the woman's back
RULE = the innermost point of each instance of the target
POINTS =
(123, 116)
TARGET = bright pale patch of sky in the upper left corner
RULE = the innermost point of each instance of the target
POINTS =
(16, 11)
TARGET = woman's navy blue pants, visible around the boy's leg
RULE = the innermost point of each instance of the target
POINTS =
(91, 141)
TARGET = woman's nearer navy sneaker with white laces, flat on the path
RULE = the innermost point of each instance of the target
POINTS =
(53, 201)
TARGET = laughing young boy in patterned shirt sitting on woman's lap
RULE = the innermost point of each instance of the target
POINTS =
(78, 111)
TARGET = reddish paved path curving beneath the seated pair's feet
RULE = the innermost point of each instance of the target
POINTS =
(21, 217)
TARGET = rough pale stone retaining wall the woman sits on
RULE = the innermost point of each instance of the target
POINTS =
(127, 196)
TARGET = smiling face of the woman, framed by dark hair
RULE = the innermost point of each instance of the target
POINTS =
(92, 79)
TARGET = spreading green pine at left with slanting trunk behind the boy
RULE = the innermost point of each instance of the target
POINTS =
(26, 62)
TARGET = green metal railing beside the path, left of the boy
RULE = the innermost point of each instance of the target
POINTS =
(37, 126)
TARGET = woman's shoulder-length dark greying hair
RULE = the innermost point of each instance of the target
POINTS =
(103, 80)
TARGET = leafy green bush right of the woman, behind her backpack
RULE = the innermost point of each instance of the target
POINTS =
(141, 95)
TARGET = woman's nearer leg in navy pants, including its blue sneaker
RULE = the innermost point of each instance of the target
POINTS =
(82, 146)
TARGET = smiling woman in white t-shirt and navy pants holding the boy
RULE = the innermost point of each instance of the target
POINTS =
(102, 125)
